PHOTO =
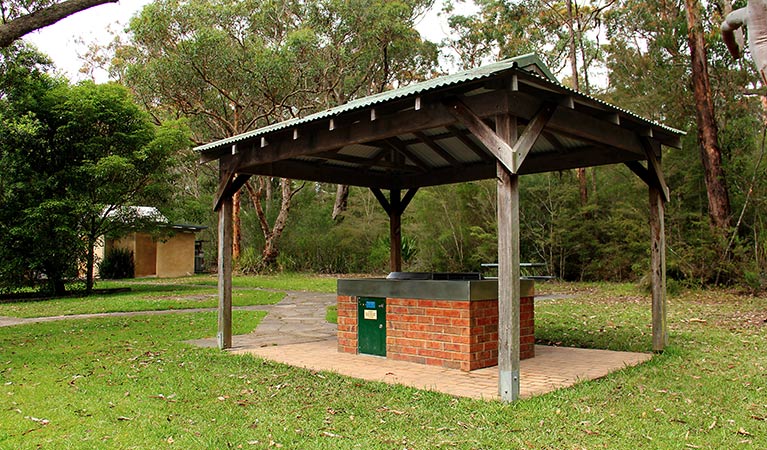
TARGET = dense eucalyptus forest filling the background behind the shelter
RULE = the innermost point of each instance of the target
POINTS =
(227, 67)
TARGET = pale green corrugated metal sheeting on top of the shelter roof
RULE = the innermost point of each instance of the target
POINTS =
(530, 63)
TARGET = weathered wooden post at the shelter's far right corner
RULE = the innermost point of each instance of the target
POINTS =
(658, 269)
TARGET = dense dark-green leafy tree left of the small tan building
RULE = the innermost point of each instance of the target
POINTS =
(69, 156)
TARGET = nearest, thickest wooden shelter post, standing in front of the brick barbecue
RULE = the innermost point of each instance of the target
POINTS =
(508, 269)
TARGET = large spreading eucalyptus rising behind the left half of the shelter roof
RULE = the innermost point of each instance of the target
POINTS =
(234, 66)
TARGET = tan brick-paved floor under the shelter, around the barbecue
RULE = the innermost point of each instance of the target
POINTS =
(552, 368)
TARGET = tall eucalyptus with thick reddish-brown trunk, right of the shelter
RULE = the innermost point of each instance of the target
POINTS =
(656, 44)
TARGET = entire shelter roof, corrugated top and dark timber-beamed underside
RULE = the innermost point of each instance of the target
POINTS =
(417, 135)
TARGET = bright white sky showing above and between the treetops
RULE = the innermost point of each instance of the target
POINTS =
(69, 38)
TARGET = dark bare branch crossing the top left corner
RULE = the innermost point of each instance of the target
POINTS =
(18, 27)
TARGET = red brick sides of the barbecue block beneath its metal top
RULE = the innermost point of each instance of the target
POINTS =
(447, 333)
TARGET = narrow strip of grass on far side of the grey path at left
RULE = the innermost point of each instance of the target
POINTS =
(142, 297)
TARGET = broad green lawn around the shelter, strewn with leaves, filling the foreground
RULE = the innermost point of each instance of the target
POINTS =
(132, 383)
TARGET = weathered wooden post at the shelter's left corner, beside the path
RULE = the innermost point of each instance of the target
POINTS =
(224, 335)
